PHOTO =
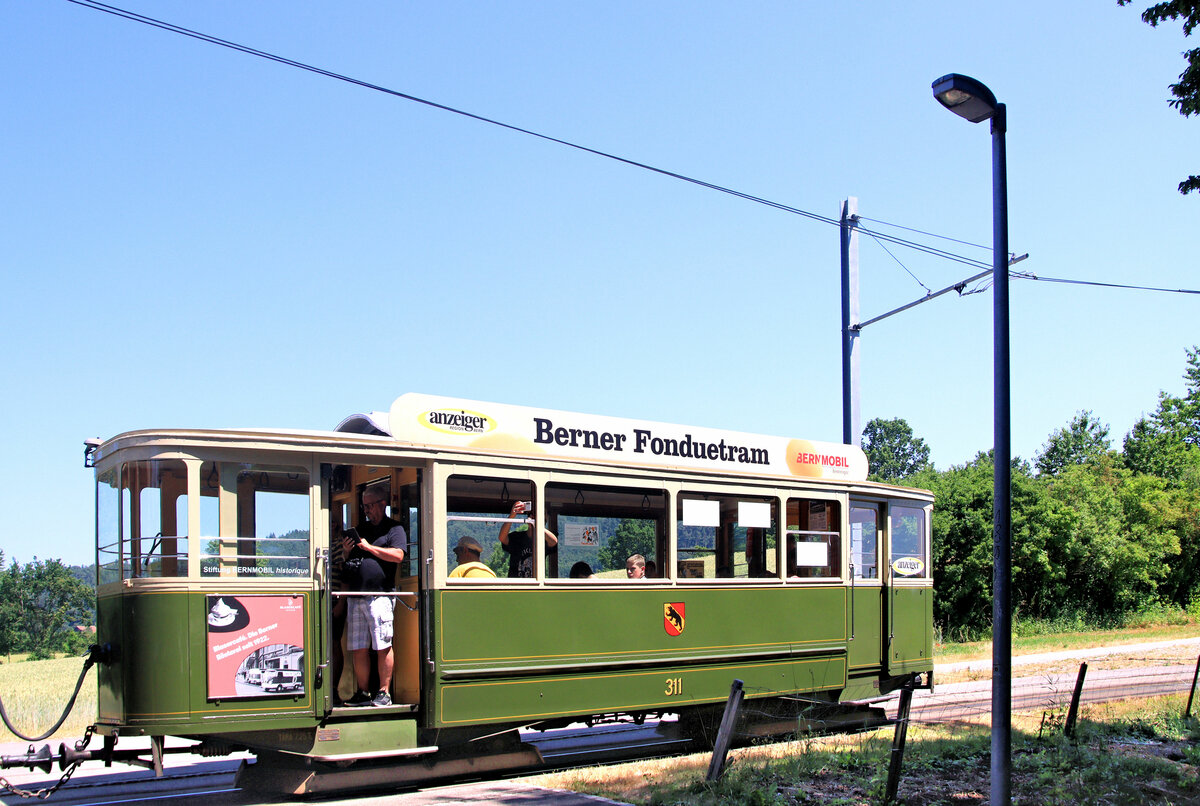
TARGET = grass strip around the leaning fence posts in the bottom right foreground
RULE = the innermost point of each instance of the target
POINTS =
(1139, 753)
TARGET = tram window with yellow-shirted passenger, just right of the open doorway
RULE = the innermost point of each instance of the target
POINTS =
(481, 508)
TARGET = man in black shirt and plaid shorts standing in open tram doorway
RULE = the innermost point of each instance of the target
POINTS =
(373, 554)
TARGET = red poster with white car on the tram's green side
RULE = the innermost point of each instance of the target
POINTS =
(255, 646)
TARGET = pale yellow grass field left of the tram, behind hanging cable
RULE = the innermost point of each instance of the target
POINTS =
(37, 693)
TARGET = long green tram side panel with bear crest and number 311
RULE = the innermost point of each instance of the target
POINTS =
(507, 657)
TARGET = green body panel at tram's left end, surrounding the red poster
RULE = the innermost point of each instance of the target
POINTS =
(158, 683)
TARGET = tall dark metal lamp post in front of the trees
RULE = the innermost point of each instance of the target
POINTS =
(970, 99)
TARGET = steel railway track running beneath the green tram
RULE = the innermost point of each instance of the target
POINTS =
(215, 783)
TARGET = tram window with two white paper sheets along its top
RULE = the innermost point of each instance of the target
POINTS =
(727, 537)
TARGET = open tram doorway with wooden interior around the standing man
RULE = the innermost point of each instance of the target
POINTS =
(400, 489)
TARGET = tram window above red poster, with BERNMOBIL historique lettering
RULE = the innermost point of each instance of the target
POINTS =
(263, 521)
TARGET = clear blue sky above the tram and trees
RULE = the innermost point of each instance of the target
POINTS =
(197, 238)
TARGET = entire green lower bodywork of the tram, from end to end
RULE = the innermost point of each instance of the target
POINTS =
(525, 654)
